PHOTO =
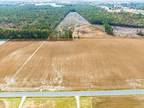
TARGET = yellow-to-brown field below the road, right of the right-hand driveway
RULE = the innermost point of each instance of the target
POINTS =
(113, 102)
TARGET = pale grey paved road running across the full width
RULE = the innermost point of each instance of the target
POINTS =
(72, 93)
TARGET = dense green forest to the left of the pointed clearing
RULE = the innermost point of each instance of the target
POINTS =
(29, 21)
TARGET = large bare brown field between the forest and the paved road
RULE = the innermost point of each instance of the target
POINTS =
(85, 64)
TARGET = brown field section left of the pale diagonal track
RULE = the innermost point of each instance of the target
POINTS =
(13, 58)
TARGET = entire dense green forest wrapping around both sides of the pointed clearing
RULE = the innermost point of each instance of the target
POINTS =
(30, 21)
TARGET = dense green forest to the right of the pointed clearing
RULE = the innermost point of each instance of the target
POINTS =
(97, 16)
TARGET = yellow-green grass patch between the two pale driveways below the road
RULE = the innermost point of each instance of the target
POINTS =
(68, 102)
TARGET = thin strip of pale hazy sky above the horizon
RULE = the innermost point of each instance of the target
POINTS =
(80, 0)
